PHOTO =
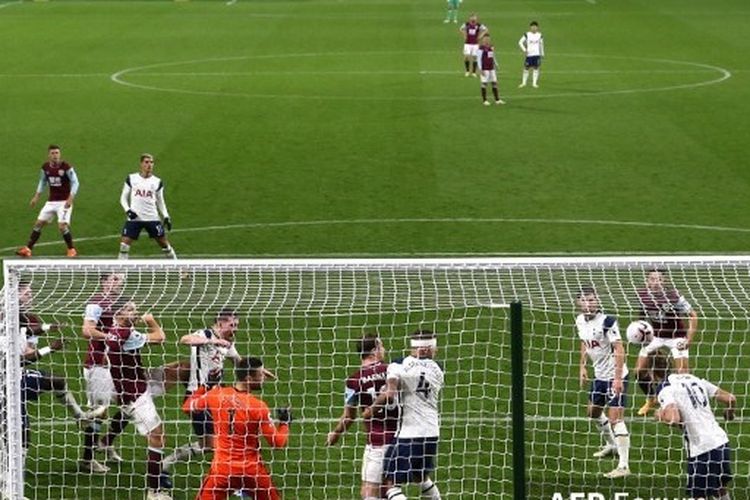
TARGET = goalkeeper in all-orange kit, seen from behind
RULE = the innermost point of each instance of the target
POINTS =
(240, 419)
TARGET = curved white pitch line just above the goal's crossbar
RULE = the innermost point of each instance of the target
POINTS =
(355, 222)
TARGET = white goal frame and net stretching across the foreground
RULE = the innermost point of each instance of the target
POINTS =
(300, 317)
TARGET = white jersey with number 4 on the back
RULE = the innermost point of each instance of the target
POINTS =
(420, 382)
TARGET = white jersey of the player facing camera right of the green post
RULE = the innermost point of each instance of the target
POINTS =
(599, 334)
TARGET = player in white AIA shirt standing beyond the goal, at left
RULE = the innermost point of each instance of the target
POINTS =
(142, 199)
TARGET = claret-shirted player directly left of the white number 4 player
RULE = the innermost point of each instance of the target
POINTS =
(362, 387)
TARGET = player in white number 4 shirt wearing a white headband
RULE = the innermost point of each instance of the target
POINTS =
(416, 384)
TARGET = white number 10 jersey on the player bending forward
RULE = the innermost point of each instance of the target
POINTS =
(692, 396)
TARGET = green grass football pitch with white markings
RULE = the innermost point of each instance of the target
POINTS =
(347, 128)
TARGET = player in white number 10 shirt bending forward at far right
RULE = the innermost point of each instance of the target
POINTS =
(685, 402)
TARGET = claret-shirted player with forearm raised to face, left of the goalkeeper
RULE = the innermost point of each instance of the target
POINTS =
(131, 384)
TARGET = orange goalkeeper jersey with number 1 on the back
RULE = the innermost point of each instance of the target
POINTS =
(239, 419)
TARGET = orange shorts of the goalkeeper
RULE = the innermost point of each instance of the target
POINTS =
(253, 478)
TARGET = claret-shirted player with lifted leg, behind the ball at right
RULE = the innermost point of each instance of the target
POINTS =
(675, 323)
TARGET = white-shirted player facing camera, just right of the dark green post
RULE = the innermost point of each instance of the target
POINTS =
(601, 342)
